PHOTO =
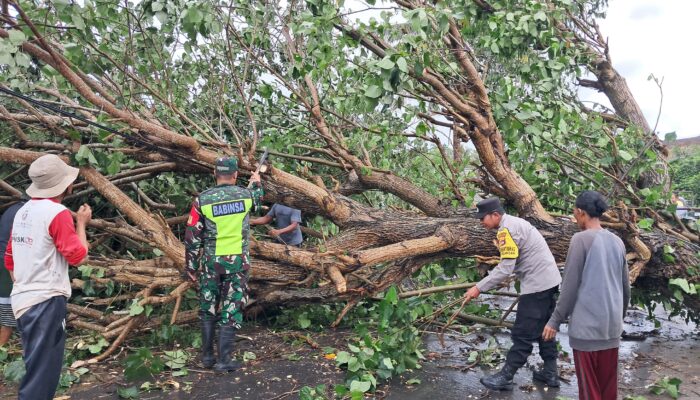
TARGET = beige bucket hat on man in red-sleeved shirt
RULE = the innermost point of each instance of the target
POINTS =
(50, 177)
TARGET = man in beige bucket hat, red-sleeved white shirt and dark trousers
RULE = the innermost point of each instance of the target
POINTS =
(42, 244)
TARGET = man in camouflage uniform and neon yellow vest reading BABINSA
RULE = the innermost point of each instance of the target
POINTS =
(216, 243)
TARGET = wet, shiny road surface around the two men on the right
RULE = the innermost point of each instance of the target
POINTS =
(647, 355)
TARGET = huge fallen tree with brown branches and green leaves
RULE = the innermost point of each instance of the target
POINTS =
(383, 133)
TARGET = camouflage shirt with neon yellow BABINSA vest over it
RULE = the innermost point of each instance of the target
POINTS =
(218, 226)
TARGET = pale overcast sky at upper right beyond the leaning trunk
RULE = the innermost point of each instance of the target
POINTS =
(659, 37)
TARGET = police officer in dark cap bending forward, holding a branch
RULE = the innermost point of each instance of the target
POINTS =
(524, 253)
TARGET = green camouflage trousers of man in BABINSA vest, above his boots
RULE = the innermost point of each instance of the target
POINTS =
(223, 291)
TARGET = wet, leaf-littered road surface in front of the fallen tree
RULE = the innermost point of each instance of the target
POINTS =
(285, 362)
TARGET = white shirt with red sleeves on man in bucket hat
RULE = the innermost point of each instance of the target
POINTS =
(42, 244)
